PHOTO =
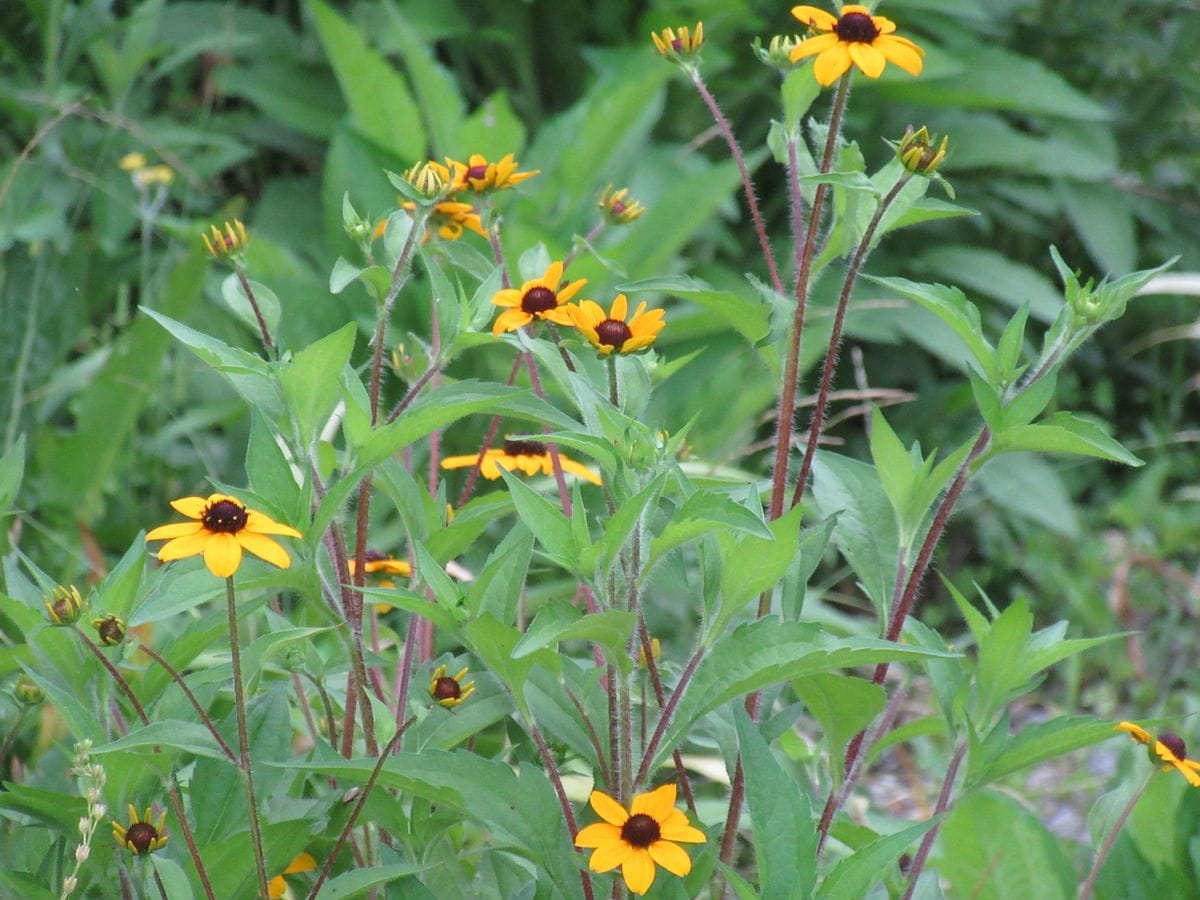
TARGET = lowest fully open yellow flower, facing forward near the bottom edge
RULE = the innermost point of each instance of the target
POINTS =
(640, 839)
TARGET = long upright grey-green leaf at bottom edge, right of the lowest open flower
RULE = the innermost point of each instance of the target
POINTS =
(784, 833)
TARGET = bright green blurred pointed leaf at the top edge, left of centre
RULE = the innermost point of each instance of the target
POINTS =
(381, 105)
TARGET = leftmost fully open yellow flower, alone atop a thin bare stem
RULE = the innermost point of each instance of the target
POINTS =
(224, 529)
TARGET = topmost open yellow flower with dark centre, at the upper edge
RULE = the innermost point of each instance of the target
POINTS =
(854, 38)
